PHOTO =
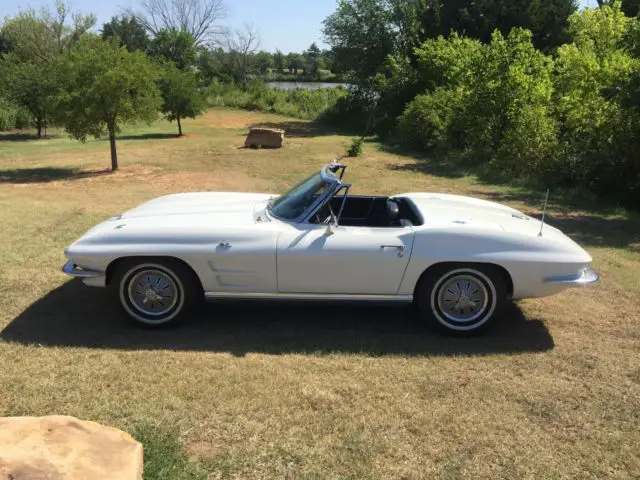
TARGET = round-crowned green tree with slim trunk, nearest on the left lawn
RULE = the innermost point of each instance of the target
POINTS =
(104, 87)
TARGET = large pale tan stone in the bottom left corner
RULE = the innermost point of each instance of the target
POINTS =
(57, 448)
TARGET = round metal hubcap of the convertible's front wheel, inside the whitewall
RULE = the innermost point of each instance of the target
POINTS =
(153, 292)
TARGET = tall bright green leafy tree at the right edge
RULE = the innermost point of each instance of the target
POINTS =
(600, 128)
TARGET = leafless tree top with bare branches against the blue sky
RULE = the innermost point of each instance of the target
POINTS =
(199, 18)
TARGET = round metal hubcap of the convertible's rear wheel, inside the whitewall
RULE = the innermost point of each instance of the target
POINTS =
(463, 298)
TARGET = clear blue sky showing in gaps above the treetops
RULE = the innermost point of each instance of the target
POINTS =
(290, 25)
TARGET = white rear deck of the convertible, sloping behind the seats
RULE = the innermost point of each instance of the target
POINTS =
(456, 210)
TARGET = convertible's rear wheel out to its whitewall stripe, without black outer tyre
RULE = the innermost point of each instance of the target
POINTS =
(463, 299)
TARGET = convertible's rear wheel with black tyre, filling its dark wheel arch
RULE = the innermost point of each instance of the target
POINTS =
(461, 298)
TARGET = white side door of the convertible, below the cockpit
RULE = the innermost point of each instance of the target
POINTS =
(354, 260)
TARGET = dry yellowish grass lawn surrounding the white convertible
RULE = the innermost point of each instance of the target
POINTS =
(293, 391)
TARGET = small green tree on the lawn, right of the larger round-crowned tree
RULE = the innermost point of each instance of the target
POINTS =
(180, 95)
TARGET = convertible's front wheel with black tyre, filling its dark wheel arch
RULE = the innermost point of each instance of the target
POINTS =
(156, 292)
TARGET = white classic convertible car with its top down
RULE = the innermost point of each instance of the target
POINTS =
(459, 259)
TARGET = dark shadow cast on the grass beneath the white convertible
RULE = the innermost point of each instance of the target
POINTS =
(78, 316)
